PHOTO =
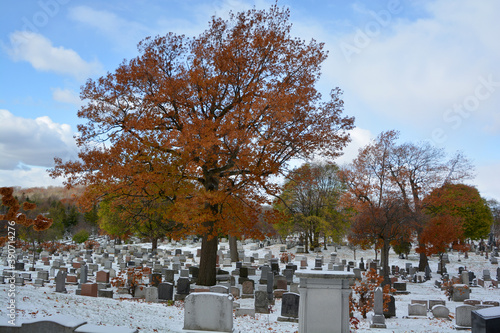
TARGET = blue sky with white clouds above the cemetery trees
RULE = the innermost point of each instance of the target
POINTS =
(430, 69)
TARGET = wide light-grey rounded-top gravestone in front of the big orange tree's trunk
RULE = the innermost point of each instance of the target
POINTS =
(208, 312)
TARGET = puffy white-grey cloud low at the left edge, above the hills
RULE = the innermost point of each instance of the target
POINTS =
(33, 141)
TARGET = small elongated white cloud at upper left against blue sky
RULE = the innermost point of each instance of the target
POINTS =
(43, 56)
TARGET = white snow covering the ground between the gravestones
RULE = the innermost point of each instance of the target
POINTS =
(122, 310)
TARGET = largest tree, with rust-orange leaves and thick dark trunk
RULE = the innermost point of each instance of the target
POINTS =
(205, 121)
